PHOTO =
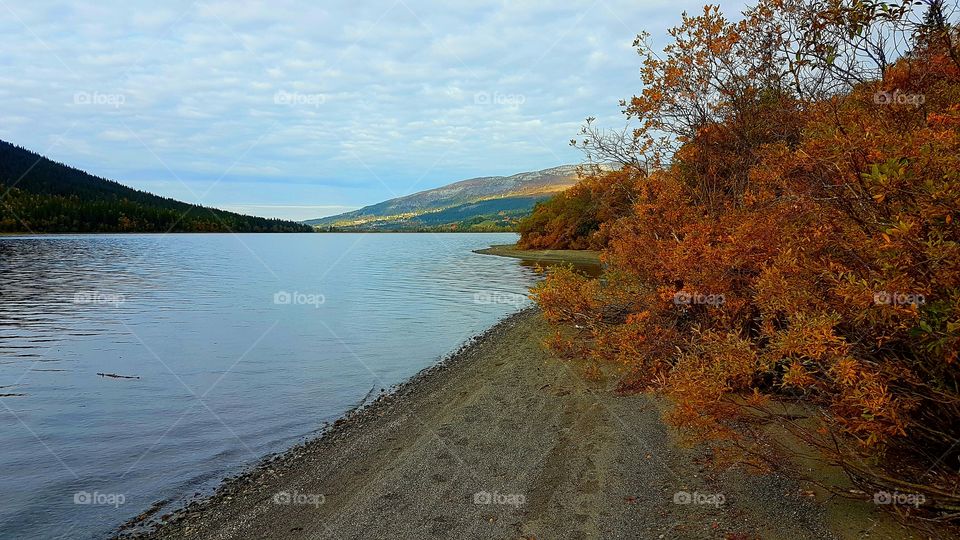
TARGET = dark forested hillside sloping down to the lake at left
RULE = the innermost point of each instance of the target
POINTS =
(41, 195)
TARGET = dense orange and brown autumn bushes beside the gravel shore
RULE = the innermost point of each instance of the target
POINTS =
(795, 238)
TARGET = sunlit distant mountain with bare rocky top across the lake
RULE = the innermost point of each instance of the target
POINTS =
(496, 201)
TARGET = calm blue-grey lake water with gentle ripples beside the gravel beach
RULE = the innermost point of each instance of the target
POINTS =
(243, 344)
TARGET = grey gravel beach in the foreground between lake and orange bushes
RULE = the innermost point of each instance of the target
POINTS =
(502, 440)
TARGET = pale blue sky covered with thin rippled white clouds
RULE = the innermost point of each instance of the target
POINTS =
(307, 109)
